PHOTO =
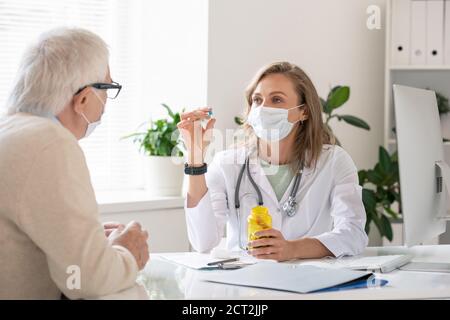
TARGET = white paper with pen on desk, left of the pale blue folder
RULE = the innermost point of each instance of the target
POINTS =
(200, 261)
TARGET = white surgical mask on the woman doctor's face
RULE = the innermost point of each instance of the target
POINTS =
(271, 124)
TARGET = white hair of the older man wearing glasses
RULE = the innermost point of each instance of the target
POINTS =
(52, 70)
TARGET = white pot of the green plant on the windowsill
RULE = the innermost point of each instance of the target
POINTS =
(164, 176)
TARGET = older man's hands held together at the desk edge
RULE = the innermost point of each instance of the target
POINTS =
(134, 239)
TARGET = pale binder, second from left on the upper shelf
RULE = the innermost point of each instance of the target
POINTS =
(418, 32)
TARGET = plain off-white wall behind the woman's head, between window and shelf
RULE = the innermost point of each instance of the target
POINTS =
(327, 38)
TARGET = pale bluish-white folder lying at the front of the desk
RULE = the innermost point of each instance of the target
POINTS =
(287, 277)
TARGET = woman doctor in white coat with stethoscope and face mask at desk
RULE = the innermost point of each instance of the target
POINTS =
(289, 164)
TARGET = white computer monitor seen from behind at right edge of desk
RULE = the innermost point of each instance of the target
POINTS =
(423, 171)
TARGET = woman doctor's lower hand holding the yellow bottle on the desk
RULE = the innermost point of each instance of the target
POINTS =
(273, 247)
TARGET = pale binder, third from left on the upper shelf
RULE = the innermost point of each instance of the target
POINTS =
(435, 32)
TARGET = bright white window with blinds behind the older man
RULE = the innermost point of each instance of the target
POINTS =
(158, 53)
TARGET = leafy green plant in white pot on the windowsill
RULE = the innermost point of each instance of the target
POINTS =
(163, 156)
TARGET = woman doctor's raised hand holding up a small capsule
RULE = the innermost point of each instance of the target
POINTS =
(195, 137)
